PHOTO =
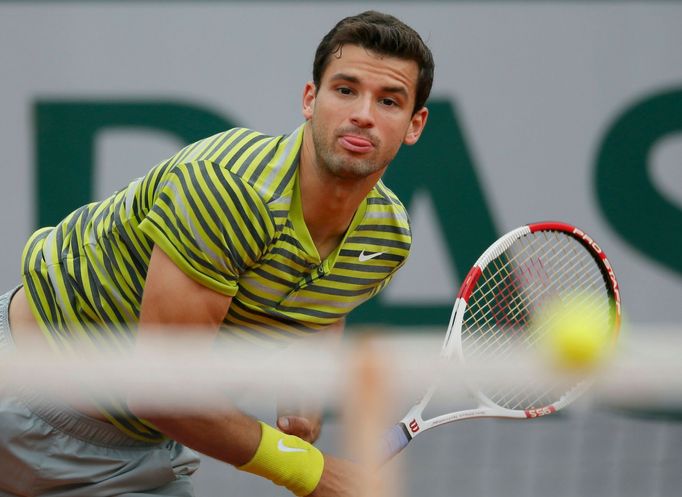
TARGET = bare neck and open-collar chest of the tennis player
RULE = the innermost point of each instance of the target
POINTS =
(329, 202)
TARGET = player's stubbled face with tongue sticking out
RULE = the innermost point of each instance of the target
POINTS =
(362, 111)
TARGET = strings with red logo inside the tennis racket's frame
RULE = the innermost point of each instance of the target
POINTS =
(515, 286)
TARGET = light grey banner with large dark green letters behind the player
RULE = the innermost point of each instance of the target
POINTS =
(555, 110)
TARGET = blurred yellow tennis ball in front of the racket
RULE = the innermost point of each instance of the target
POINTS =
(575, 334)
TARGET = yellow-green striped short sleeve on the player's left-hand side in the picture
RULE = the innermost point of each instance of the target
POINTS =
(211, 224)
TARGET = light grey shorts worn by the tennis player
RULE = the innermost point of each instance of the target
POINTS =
(54, 451)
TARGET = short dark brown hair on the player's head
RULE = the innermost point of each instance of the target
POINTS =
(384, 35)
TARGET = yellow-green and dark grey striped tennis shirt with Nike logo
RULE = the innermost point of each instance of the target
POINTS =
(227, 211)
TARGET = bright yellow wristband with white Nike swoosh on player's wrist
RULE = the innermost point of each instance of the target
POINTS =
(286, 460)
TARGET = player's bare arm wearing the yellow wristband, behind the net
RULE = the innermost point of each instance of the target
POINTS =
(174, 304)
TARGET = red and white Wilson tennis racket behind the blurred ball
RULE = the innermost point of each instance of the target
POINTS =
(496, 313)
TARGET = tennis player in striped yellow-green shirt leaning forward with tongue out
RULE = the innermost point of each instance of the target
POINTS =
(260, 239)
